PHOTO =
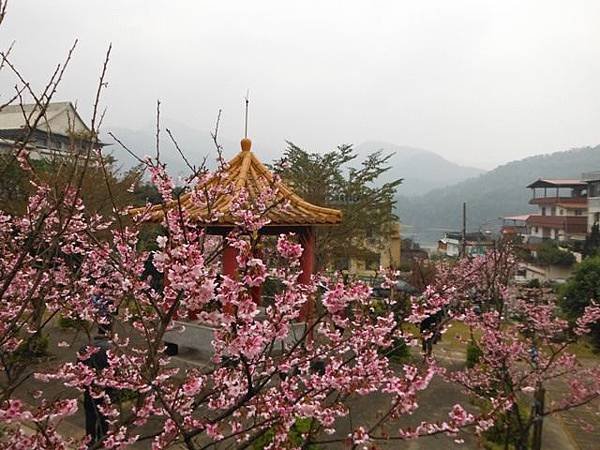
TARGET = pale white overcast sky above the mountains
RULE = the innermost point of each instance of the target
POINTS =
(480, 82)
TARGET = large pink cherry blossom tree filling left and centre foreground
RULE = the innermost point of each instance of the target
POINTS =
(74, 256)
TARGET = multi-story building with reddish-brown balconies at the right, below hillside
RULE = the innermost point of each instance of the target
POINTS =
(562, 211)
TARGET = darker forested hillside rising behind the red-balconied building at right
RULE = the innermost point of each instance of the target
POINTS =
(493, 194)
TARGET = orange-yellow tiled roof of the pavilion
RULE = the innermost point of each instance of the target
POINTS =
(245, 171)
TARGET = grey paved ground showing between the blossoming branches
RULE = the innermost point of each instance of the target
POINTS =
(560, 433)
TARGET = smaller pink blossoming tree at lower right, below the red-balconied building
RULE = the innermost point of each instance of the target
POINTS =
(517, 356)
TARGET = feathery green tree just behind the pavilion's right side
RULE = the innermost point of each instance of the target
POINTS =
(330, 179)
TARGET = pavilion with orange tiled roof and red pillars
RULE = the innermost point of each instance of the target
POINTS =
(290, 213)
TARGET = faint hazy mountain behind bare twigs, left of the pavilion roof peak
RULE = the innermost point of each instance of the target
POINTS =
(194, 144)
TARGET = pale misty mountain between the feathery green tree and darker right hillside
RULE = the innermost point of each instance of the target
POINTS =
(422, 170)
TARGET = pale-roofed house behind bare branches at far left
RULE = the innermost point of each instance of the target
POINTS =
(61, 129)
